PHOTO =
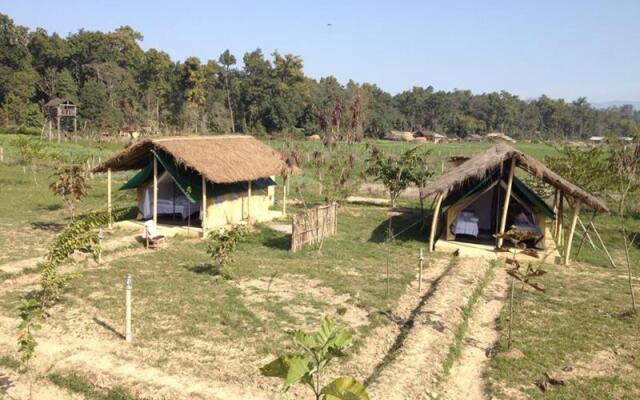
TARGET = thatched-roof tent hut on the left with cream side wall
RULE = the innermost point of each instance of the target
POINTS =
(216, 180)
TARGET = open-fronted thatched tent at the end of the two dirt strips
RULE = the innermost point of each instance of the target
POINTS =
(483, 196)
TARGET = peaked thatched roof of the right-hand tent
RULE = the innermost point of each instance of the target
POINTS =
(483, 164)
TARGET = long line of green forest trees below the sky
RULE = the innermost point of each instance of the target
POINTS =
(117, 84)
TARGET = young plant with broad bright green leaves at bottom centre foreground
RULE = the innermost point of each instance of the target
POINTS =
(316, 350)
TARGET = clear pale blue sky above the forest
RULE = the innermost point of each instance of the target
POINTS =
(560, 48)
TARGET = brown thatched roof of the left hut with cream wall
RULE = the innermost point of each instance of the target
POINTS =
(220, 159)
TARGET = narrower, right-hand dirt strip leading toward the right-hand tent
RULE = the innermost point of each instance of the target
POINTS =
(465, 380)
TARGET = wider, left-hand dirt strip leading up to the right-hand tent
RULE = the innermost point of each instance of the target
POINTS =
(411, 372)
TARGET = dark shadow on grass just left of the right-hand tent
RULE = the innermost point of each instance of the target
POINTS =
(407, 226)
